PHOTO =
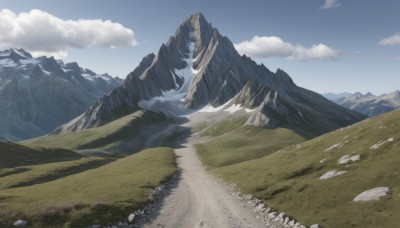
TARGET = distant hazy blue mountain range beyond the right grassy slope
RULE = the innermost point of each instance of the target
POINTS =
(371, 105)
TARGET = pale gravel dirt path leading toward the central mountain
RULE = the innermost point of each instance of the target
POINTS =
(199, 200)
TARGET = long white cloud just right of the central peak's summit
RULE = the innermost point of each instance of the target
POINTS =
(272, 46)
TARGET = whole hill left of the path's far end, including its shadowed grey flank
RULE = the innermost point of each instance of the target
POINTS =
(131, 133)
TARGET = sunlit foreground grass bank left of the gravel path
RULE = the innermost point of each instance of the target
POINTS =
(97, 196)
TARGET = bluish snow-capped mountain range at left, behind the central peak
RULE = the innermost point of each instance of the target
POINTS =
(39, 94)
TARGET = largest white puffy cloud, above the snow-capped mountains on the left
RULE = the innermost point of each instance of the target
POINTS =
(42, 33)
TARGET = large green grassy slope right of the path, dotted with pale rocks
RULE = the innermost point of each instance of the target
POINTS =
(289, 179)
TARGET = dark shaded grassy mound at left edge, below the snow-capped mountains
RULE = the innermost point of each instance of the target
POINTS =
(12, 155)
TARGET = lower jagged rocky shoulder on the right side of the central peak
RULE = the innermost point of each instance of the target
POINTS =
(296, 108)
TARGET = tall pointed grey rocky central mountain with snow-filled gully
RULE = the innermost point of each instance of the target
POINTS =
(199, 67)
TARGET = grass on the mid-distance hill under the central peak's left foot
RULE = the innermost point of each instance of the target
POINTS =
(104, 137)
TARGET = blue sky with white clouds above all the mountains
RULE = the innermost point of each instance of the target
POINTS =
(325, 45)
